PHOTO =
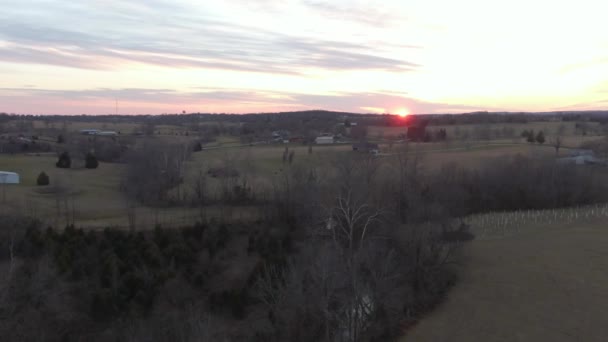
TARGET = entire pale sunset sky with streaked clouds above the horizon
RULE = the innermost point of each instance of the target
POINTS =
(247, 56)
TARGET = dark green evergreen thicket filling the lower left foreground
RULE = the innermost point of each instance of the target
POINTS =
(70, 284)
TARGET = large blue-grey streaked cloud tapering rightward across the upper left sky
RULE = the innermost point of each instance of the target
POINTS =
(106, 34)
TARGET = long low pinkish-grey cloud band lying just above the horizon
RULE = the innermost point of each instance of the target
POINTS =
(155, 101)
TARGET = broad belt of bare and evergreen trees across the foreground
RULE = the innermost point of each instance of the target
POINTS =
(352, 250)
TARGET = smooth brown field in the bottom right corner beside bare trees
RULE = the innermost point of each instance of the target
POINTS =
(548, 282)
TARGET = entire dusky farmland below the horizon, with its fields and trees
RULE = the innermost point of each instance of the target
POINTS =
(177, 223)
